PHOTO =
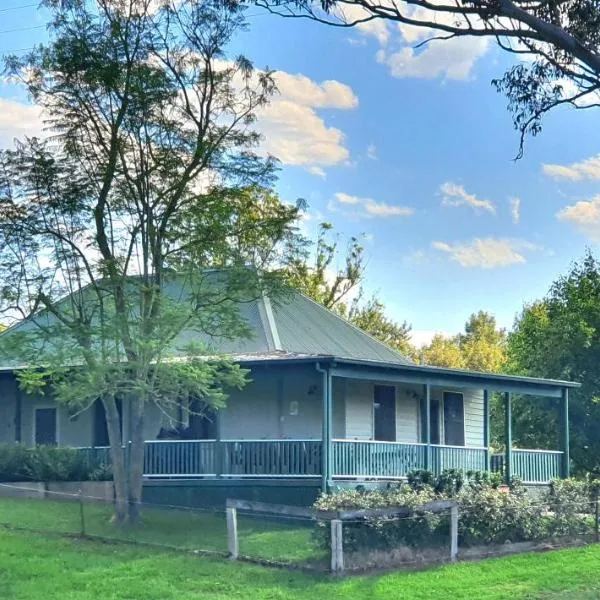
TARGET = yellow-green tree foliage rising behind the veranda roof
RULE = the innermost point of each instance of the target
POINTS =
(482, 346)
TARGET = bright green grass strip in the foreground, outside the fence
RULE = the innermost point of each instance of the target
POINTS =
(38, 567)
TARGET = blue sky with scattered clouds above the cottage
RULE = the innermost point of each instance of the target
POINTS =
(413, 150)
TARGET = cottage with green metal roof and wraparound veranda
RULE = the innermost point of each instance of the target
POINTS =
(327, 405)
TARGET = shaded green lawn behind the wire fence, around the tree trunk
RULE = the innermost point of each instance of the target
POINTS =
(185, 529)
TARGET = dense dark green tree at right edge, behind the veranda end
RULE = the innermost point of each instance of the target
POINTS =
(559, 337)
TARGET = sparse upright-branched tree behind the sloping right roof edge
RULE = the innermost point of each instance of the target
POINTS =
(314, 272)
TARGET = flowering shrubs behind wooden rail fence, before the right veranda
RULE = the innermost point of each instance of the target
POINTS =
(489, 513)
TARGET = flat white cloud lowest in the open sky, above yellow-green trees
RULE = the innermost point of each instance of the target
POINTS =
(487, 253)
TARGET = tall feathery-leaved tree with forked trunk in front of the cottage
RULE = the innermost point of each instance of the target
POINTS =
(107, 228)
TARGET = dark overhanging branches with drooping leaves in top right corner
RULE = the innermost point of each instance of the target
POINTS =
(559, 37)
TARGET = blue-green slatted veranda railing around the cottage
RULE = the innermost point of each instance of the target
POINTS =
(303, 458)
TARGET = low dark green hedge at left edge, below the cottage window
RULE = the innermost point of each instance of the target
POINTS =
(48, 463)
